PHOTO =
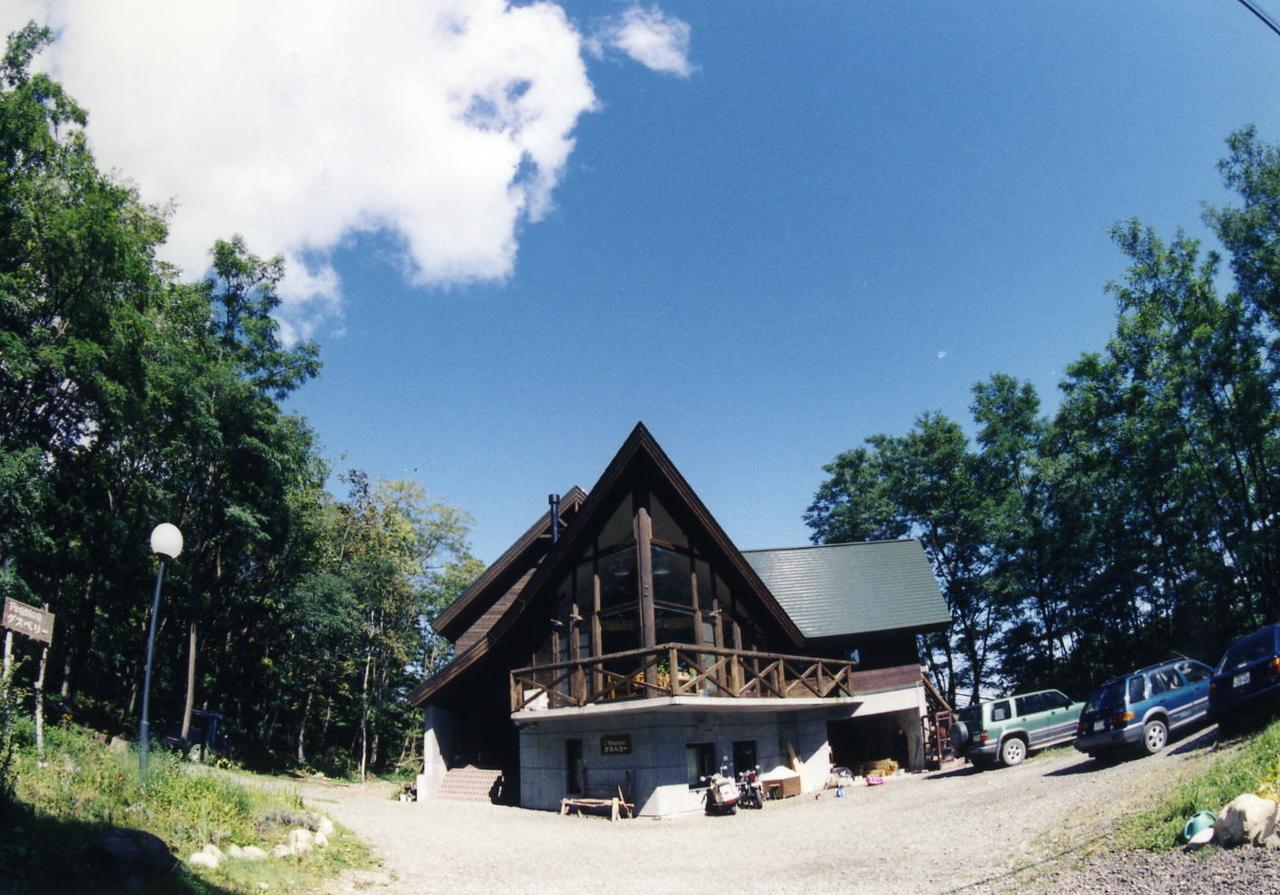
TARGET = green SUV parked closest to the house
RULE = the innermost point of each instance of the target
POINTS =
(1004, 730)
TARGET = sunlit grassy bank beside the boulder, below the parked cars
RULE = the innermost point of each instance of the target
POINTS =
(1255, 769)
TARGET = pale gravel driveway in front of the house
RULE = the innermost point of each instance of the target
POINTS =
(1040, 828)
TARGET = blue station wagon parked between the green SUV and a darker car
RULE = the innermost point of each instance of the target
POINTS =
(1141, 709)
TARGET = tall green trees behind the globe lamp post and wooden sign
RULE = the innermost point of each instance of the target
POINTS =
(130, 398)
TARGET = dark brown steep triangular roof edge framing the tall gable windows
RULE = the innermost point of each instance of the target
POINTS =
(639, 447)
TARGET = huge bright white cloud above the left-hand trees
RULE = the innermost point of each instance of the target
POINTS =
(300, 122)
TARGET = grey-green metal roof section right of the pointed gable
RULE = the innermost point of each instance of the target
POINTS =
(842, 590)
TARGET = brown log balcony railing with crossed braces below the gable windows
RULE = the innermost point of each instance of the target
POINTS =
(679, 670)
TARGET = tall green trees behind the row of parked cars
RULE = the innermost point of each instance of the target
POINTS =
(1144, 518)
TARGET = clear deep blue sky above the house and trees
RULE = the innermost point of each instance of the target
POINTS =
(835, 217)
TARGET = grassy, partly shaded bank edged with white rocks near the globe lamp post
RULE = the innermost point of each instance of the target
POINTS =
(81, 788)
